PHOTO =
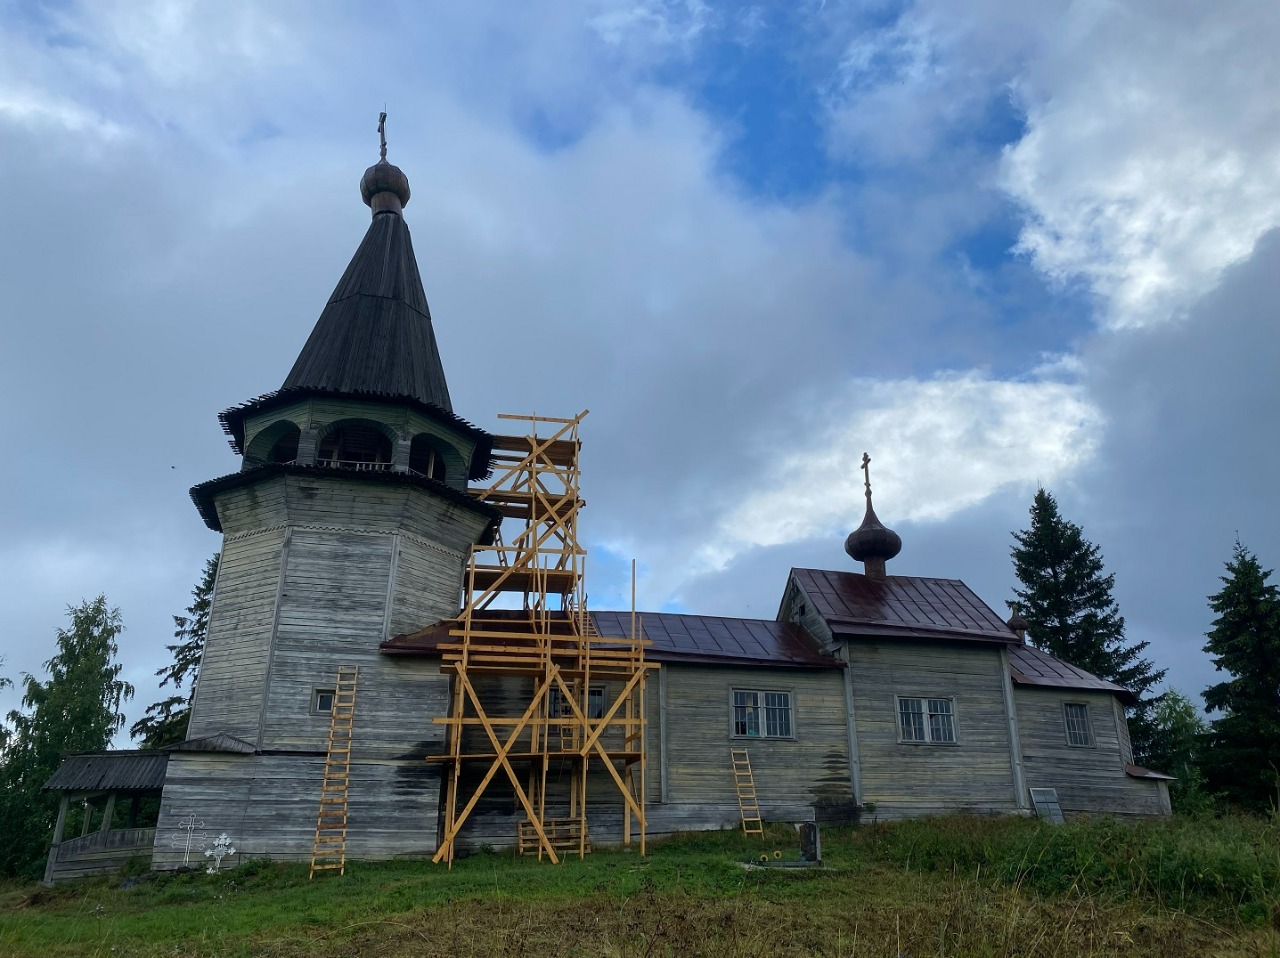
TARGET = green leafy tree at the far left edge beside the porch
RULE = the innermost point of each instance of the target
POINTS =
(77, 709)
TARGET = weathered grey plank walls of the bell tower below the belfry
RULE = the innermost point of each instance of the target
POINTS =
(316, 572)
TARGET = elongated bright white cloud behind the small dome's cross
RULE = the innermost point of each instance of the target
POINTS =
(948, 442)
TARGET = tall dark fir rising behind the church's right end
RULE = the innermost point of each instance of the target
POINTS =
(1067, 600)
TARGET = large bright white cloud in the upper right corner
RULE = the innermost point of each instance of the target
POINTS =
(1153, 150)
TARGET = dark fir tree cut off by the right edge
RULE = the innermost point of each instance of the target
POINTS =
(1244, 760)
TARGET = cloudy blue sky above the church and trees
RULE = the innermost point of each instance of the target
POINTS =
(996, 245)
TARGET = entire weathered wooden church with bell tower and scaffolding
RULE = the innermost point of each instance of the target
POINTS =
(400, 660)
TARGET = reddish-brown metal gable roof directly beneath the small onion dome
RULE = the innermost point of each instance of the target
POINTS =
(900, 606)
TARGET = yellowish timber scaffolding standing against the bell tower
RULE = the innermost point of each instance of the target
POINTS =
(525, 628)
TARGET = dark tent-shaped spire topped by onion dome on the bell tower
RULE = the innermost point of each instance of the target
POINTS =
(376, 332)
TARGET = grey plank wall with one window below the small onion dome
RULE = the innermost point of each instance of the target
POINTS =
(906, 781)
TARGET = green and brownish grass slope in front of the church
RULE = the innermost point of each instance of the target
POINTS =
(947, 887)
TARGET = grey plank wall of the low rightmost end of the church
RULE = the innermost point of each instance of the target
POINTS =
(1090, 781)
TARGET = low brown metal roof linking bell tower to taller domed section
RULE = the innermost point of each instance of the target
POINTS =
(674, 638)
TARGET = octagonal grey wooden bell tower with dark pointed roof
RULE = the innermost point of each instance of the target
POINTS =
(348, 523)
